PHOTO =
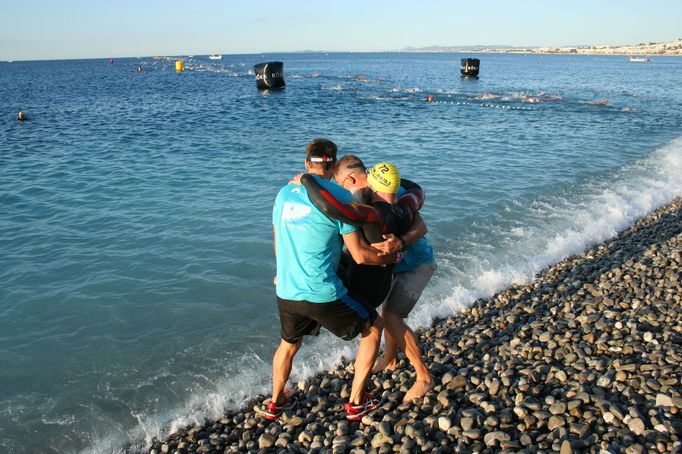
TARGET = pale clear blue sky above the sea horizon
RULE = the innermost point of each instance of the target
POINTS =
(52, 29)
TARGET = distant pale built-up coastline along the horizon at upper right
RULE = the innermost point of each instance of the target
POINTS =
(664, 48)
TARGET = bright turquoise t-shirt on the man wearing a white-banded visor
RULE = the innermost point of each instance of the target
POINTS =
(308, 245)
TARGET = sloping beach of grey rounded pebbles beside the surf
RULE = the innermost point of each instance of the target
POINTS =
(585, 358)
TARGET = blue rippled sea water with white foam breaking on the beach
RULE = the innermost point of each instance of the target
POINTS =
(136, 256)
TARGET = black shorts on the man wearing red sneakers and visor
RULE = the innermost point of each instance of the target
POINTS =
(345, 318)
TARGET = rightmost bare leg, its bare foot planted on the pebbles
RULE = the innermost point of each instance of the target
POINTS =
(406, 340)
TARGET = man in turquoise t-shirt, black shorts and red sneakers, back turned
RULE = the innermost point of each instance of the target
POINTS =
(310, 295)
